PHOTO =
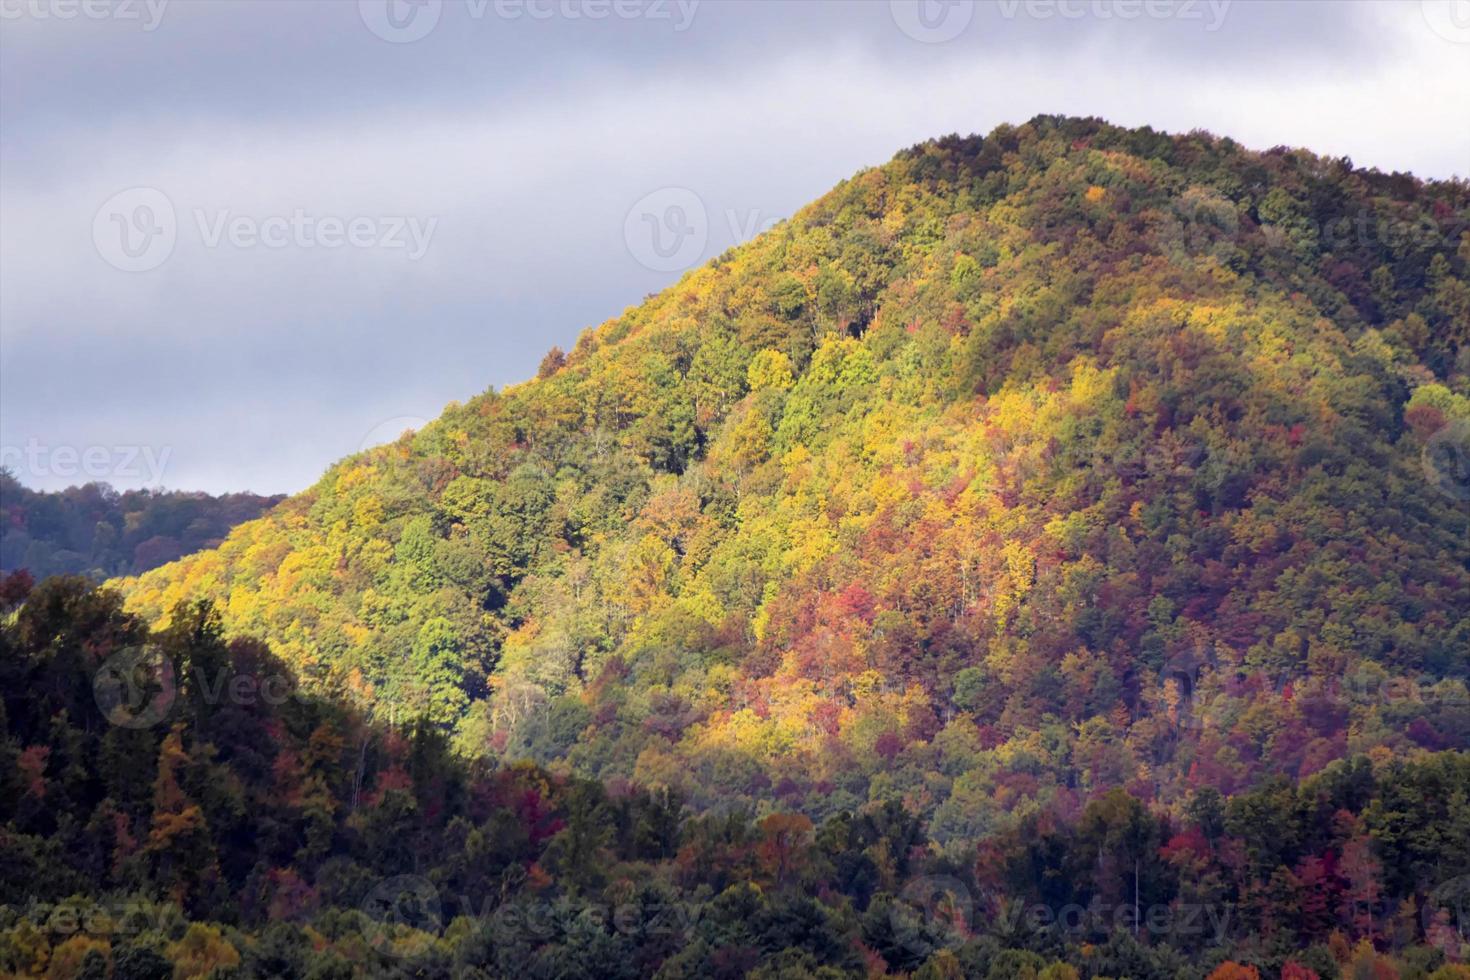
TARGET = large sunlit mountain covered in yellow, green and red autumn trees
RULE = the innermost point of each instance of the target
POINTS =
(1018, 468)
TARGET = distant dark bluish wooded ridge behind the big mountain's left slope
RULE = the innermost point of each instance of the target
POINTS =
(101, 533)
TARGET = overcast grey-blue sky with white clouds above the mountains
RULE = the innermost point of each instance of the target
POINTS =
(242, 240)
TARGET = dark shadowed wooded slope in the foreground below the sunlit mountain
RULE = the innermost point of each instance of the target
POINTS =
(173, 806)
